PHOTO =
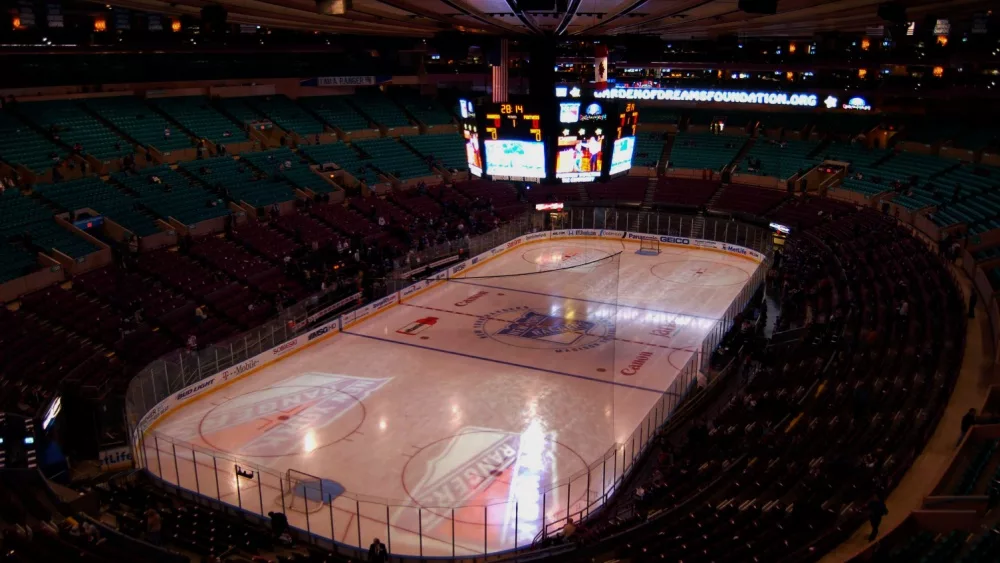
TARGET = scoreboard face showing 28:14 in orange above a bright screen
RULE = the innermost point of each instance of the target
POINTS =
(513, 142)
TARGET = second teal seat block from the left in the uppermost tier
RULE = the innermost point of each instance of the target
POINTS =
(75, 126)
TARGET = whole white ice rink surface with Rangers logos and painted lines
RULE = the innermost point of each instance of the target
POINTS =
(459, 407)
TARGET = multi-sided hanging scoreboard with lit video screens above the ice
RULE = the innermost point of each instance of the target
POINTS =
(560, 140)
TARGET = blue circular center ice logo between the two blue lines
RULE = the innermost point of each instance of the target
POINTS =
(524, 327)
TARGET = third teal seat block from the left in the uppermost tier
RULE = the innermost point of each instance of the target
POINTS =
(134, 118)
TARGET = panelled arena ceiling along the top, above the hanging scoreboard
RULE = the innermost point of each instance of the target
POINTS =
(669, 19)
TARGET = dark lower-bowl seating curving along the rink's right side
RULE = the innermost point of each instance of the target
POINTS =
(851, 398)
